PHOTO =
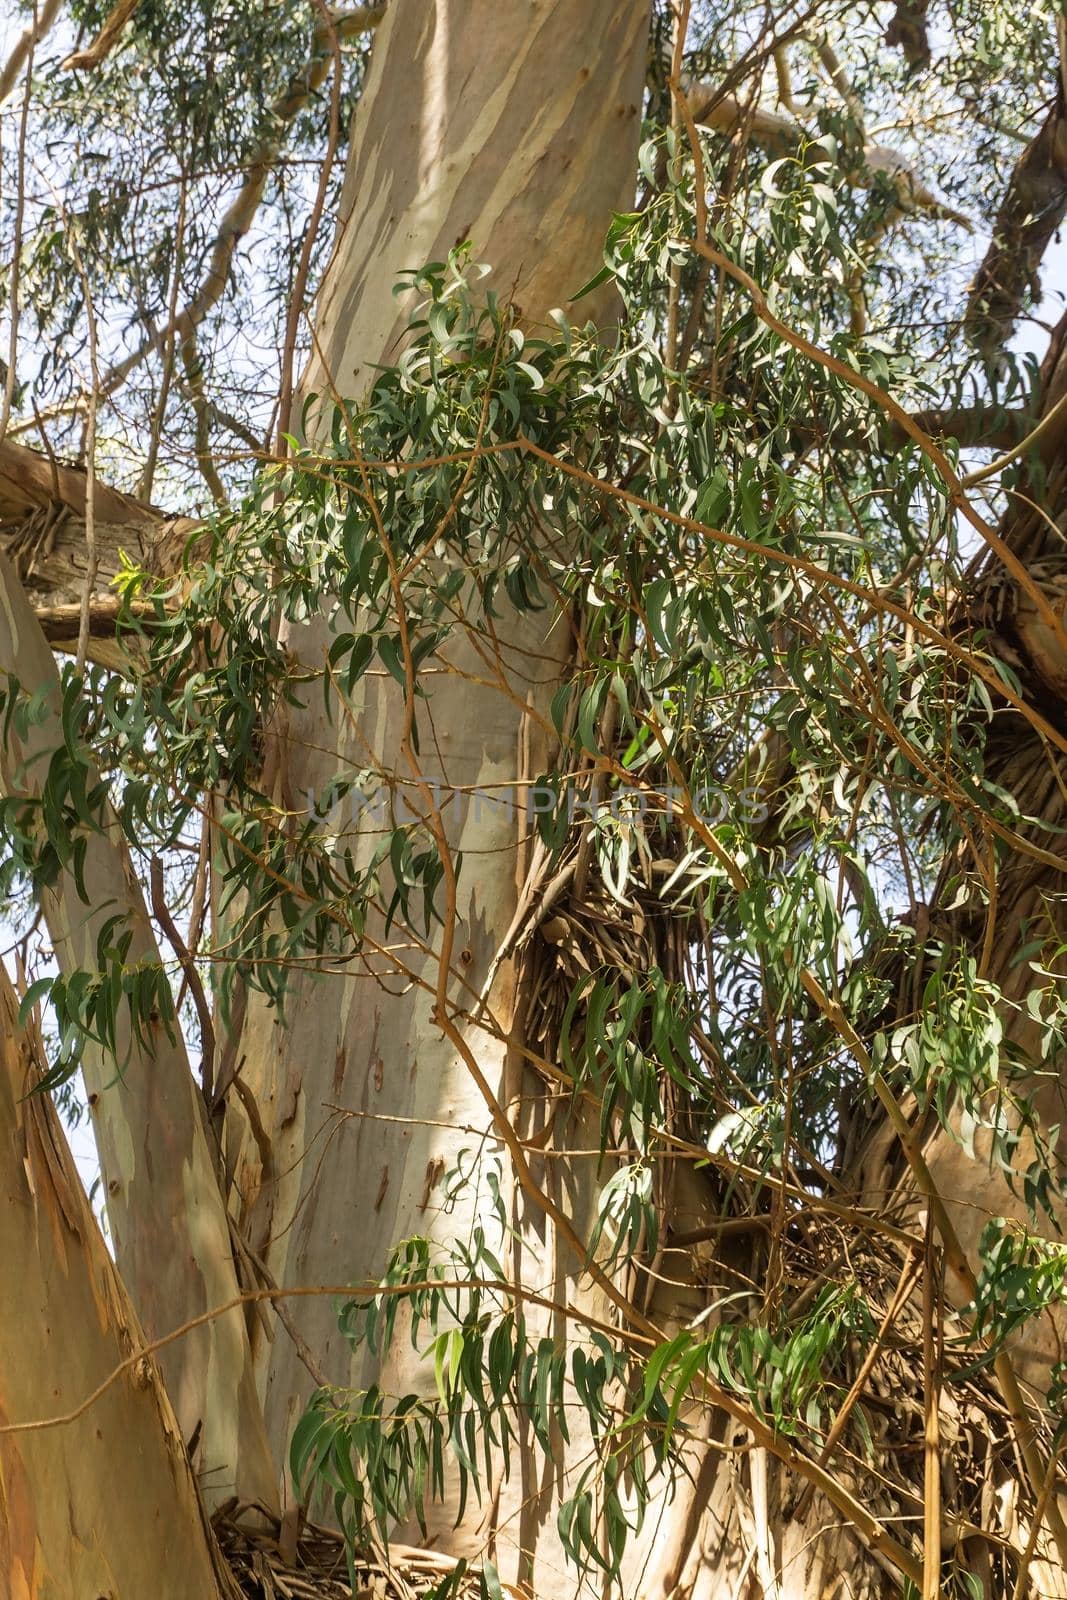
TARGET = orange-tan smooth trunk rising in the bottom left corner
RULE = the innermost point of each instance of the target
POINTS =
(105, 1505)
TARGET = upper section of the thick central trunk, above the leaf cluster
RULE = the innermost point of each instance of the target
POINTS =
(484, 122)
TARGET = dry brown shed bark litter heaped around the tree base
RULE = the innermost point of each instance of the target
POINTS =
(988, 1511)
